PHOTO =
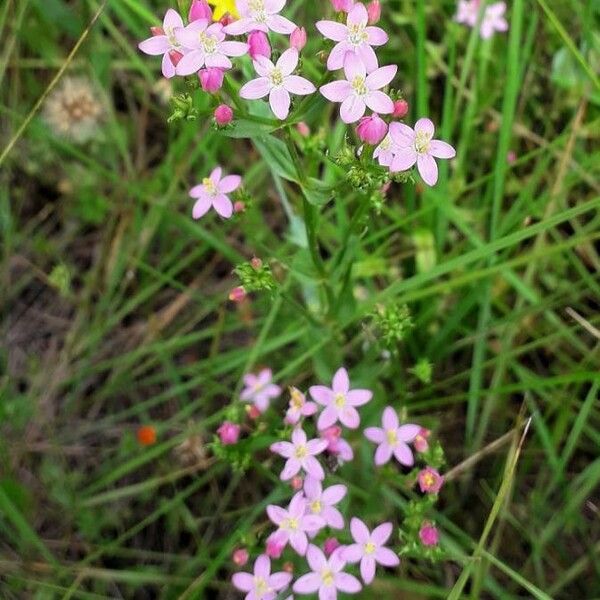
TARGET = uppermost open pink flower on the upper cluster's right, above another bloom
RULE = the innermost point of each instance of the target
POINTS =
(356, 37)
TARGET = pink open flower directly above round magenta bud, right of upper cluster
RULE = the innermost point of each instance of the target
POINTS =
(360, 90)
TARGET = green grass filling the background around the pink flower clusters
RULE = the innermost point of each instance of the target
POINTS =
(504, 304)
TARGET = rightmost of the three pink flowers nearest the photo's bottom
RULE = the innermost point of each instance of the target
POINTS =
(369, 548)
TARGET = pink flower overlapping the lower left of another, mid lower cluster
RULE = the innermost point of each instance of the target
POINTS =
(293, 524)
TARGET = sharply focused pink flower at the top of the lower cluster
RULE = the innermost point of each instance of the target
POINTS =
(339, 401)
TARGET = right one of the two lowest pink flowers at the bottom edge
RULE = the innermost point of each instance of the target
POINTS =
(327, 575)
